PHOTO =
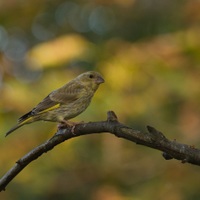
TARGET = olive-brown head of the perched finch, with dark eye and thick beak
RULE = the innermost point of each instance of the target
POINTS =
(91, 79)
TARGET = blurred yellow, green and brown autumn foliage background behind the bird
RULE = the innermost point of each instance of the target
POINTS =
(147, 51)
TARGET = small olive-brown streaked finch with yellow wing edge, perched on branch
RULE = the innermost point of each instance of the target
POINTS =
(65, 102)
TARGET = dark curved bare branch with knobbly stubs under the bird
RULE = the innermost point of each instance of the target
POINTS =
(153, 139)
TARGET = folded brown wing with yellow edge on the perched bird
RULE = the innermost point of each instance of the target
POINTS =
(63, 95)
